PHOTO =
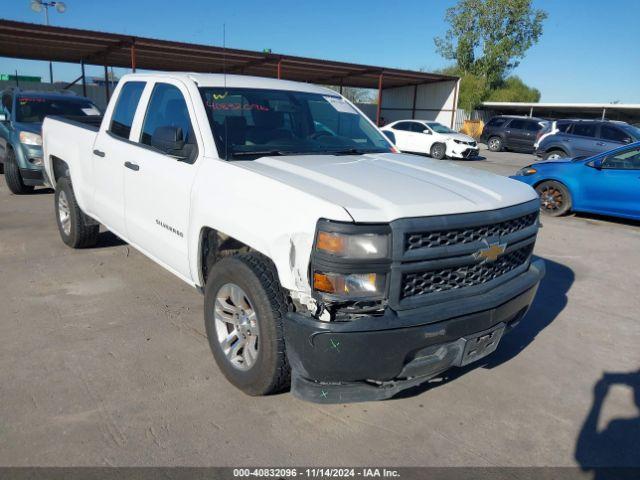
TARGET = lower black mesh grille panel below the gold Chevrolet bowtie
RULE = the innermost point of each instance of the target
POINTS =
(443, 279)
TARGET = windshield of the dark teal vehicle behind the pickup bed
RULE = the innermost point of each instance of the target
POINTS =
(34, 109)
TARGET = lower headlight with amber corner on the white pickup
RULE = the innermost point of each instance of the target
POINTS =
(354, 285)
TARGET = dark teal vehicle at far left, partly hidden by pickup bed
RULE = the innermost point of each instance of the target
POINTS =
(21, 117)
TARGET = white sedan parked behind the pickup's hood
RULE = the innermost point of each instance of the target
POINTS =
(431, 138)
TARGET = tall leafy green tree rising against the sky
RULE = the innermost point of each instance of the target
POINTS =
(488, 38)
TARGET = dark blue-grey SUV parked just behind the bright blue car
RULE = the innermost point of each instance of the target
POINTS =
(585, 138)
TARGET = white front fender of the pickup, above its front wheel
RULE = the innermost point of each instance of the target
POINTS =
(269, 216)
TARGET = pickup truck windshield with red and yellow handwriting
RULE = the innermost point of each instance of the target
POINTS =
(249, 123)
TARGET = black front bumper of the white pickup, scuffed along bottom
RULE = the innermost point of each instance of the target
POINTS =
(354, 361)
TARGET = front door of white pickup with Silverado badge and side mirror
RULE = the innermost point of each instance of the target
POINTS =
(159, 177)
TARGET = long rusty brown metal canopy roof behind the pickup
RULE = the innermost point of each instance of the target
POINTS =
(40, 42)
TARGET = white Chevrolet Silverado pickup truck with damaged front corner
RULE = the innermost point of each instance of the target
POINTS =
(329, 261)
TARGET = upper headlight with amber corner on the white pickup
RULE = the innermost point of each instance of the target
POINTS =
(353, 246)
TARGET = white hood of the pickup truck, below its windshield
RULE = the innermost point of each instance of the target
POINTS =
(387, 186)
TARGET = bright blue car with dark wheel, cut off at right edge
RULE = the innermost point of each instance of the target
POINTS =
(607, 183)
